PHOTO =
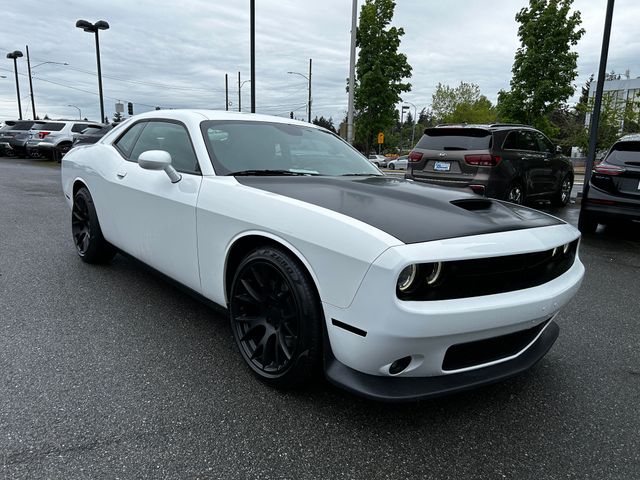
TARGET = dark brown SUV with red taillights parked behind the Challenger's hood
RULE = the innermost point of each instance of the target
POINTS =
(511, 162)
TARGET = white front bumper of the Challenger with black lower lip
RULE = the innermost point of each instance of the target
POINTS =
(381, 329)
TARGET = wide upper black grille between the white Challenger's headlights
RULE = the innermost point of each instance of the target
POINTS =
(488, 276)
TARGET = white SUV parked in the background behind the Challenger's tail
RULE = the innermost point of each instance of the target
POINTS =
(54, 139)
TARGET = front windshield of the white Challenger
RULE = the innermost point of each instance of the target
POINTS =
(271, 148)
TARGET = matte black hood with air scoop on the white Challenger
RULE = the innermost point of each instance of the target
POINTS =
(410, 211)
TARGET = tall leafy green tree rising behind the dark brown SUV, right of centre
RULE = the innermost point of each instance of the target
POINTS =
(545, 65)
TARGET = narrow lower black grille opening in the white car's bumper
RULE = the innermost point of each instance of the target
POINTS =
(480, 352)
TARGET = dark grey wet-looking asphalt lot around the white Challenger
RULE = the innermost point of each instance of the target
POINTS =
(110, 372)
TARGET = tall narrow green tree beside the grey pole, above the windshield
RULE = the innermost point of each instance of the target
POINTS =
(380, 71)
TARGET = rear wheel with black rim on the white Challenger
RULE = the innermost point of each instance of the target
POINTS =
(87, 235)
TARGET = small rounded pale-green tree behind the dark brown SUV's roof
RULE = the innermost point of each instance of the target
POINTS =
(462, 104)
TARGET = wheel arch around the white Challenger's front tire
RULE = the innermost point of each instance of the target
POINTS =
(246, 242)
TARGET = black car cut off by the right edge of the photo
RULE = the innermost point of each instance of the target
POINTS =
(614, 187)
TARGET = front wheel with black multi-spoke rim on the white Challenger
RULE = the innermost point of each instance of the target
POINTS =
(276, 318)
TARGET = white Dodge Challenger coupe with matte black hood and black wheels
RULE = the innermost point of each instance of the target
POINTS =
(395, 290)
